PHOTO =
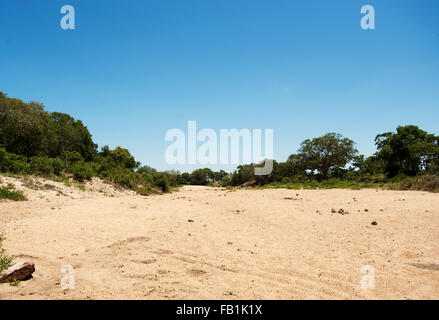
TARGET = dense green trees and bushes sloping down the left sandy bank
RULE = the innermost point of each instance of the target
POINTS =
(52, 144)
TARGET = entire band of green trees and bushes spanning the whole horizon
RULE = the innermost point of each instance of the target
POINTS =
(52, 144)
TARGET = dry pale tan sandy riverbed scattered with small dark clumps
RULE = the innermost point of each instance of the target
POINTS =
(209, 243)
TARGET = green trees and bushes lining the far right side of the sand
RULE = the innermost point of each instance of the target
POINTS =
(407, 159)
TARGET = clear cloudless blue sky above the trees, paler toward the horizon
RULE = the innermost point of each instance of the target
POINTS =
(133, 69)
